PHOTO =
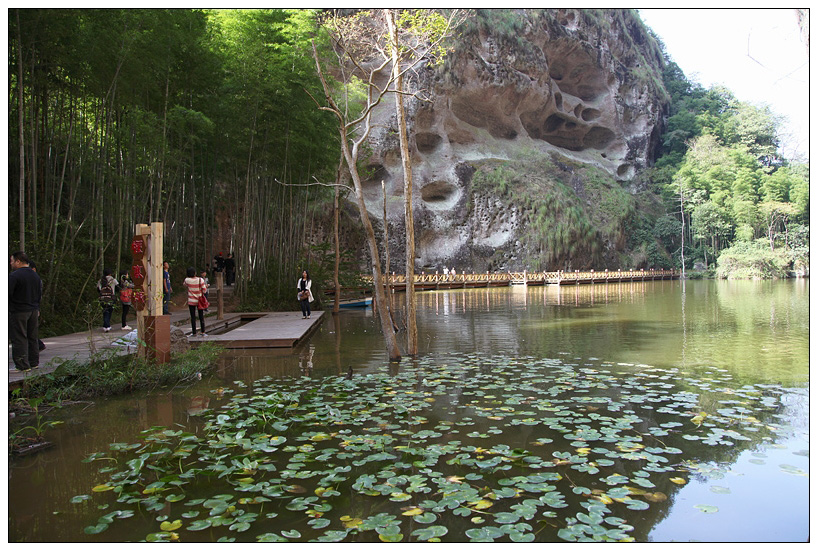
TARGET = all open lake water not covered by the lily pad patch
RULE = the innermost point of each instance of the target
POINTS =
(747, 332)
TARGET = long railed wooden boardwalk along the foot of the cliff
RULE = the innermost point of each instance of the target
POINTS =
(427, 282)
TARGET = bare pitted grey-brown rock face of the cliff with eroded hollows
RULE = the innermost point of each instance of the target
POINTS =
(582, 85)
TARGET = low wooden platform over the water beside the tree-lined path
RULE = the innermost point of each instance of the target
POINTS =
(265, 330)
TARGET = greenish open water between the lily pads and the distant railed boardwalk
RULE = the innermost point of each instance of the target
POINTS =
(692, 323)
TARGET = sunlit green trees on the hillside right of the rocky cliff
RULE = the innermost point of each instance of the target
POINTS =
(723, 154)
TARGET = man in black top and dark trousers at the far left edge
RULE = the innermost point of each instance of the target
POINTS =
(25, 292)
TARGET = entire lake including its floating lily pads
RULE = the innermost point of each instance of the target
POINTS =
(653, 411)
